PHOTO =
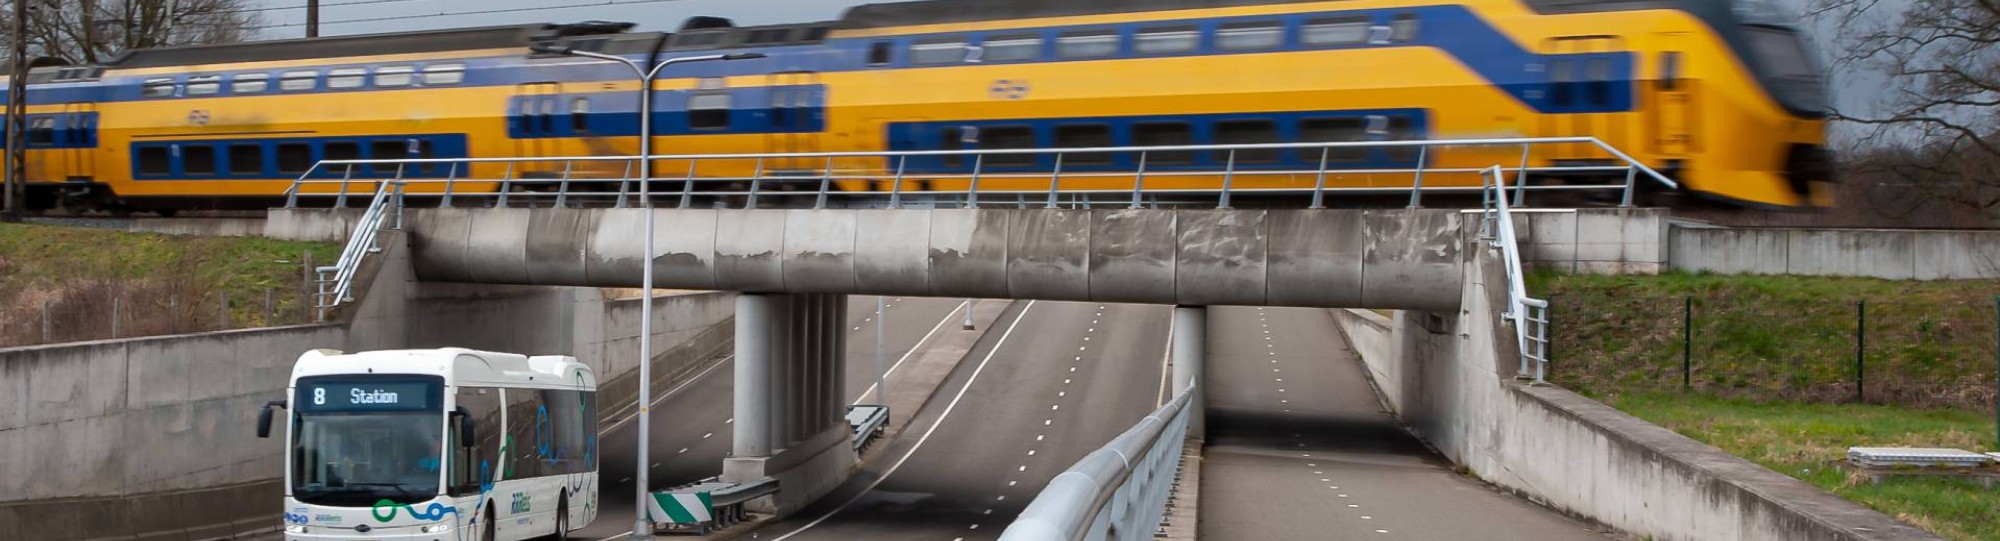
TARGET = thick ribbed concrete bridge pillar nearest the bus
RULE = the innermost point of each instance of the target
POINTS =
(791, 414)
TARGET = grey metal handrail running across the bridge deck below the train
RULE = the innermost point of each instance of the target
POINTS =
(827, 169)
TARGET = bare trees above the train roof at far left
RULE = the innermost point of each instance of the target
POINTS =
(97, 31)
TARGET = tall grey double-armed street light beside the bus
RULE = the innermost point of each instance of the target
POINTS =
(641, 530)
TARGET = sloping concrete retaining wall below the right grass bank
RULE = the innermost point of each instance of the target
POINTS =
(1451, 380)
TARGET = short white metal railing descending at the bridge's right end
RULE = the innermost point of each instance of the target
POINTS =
(1529, 314)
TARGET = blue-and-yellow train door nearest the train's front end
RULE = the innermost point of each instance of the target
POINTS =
(1581, 93)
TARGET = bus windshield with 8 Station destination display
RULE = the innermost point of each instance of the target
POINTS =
(363, 442)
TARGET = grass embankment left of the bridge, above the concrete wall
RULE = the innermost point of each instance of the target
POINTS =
(159, 284)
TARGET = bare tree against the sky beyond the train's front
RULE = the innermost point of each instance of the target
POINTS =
(1933, 127)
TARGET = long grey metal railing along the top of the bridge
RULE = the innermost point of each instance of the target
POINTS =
(969, 177)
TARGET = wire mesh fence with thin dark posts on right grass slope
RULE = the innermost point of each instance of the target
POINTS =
(1885, 352)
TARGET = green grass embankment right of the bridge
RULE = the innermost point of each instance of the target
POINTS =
(1773, 376)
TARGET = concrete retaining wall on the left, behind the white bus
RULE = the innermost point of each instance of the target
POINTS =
(155, 438)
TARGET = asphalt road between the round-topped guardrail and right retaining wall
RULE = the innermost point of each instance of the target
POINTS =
(1299, 448)
